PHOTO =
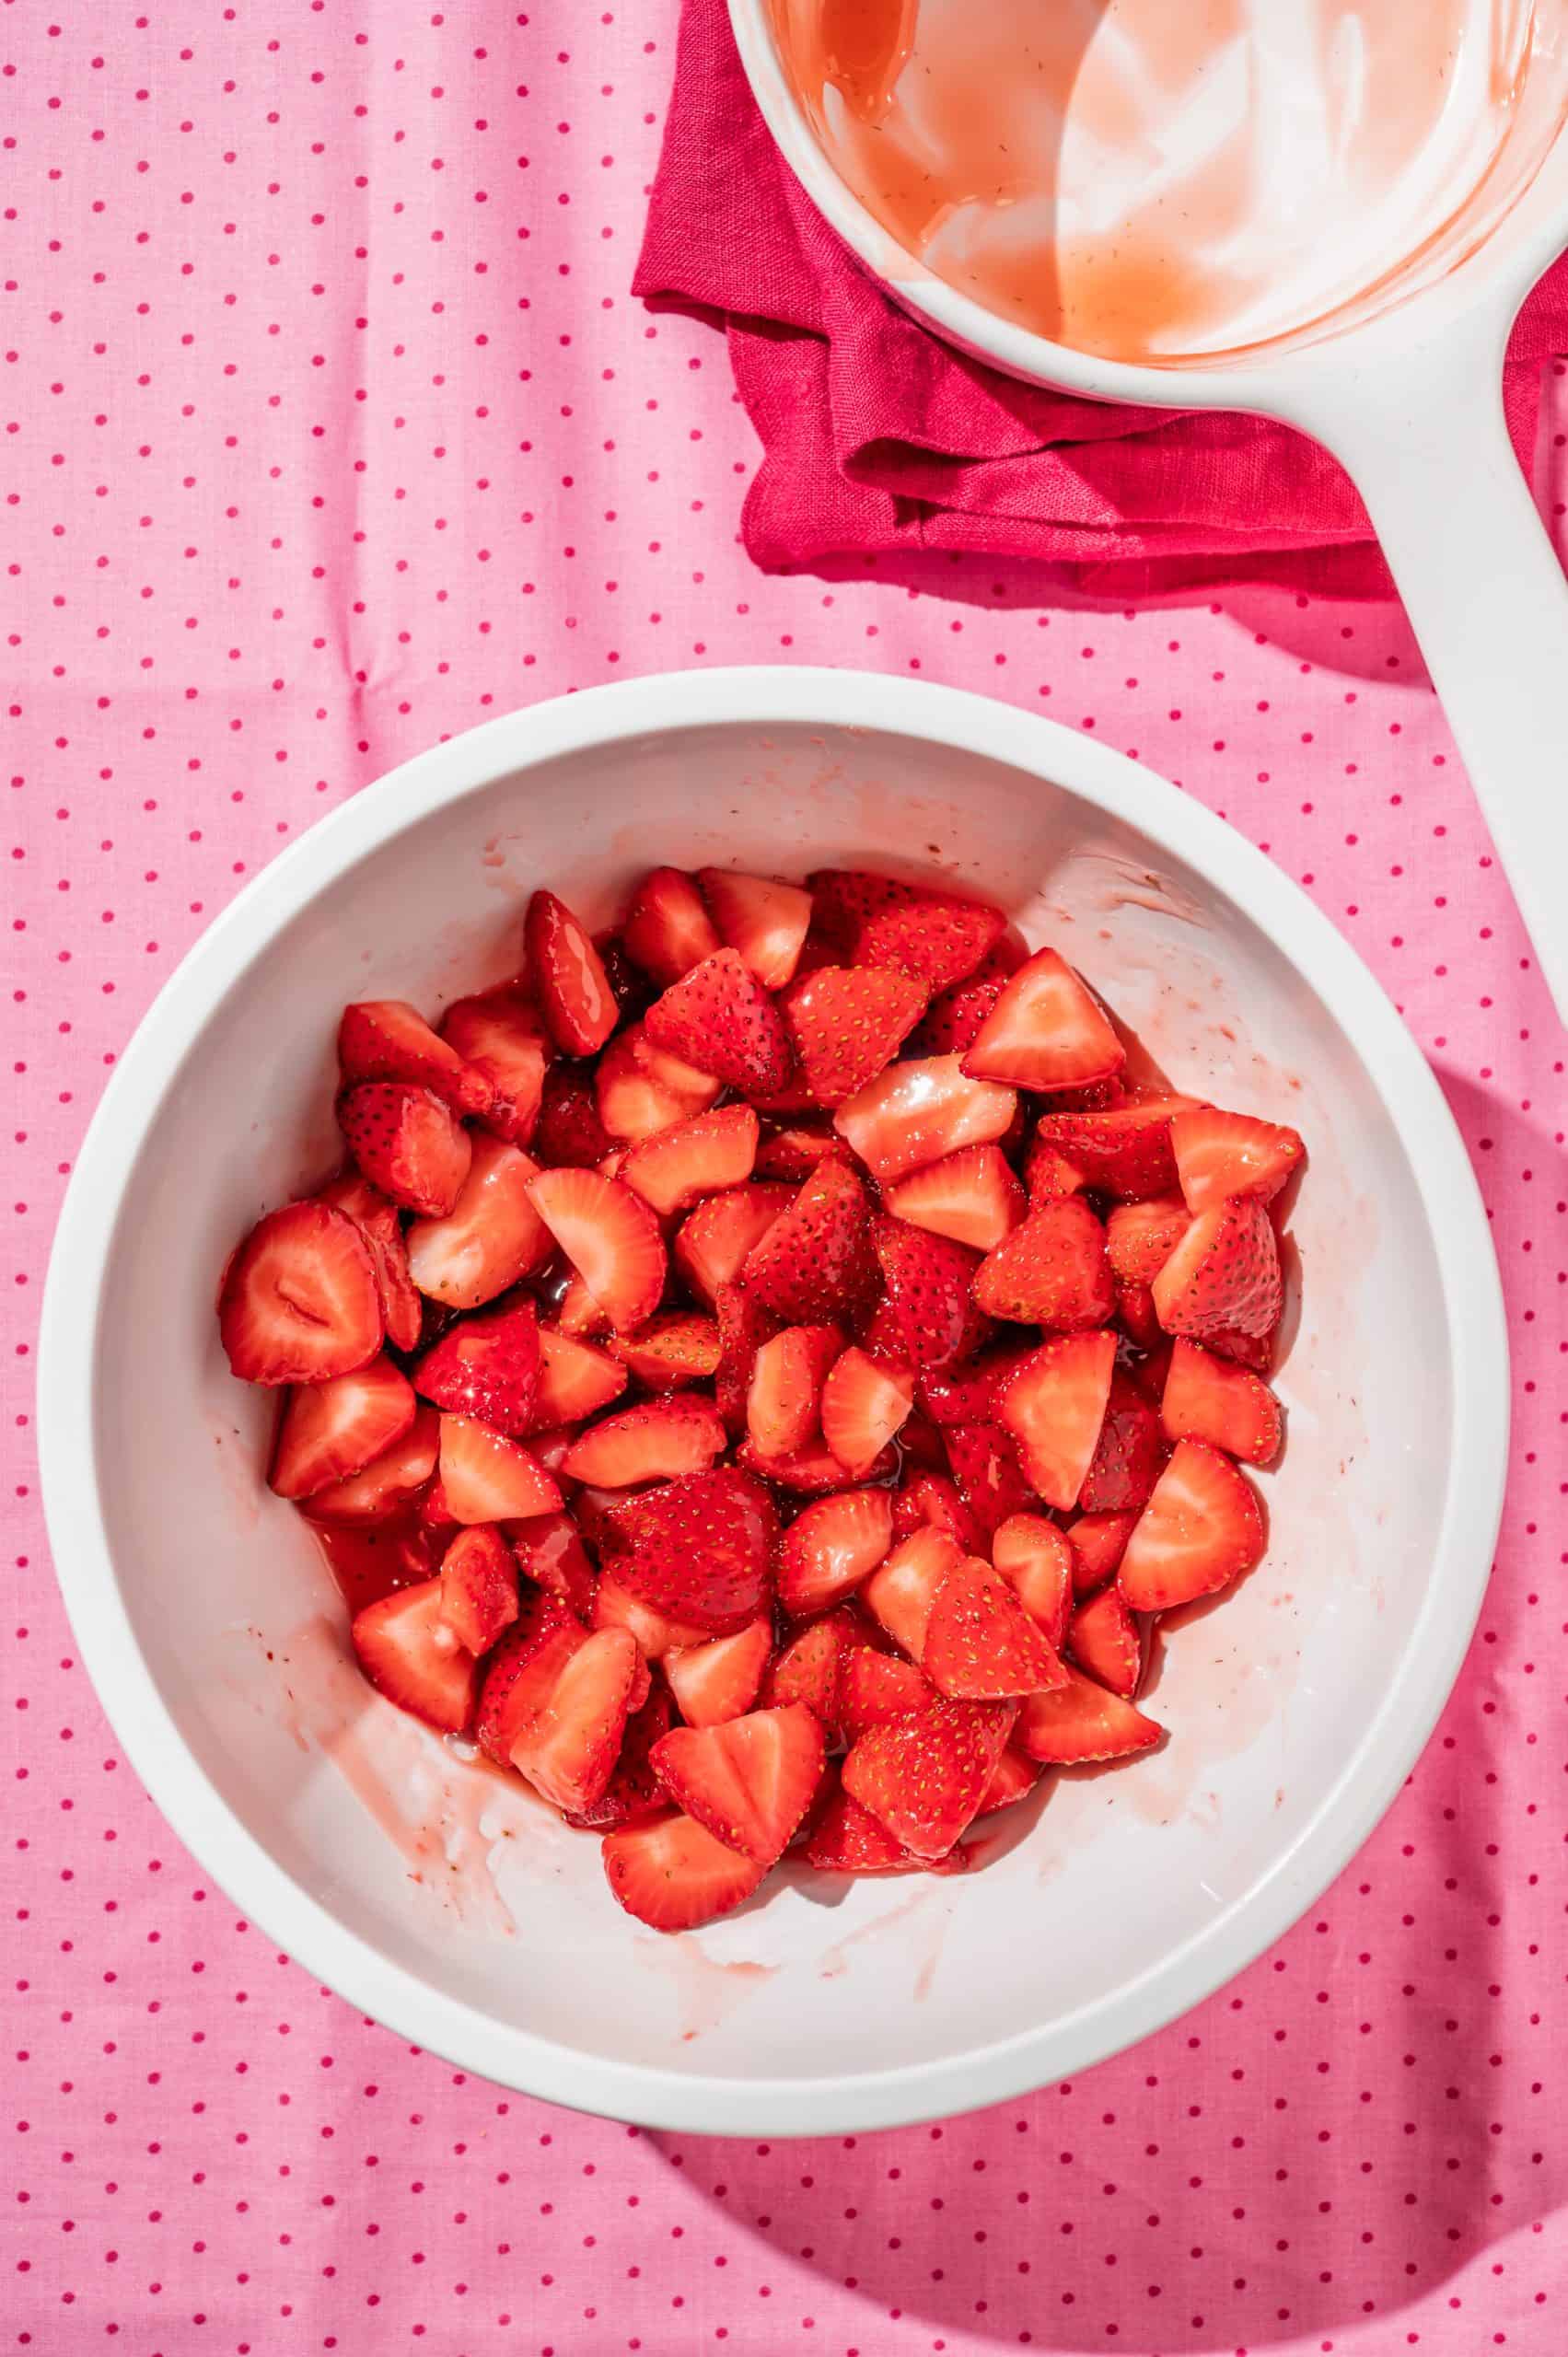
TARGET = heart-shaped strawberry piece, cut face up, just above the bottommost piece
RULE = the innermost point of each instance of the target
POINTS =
(749, 1781)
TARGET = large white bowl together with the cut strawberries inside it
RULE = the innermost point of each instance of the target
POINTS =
(831, 1477)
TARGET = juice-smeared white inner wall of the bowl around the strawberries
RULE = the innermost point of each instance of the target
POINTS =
(459, 1877)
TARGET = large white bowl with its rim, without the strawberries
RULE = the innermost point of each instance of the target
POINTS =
(447, 1901)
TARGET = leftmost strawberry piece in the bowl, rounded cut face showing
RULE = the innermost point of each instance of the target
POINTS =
(301, 1300)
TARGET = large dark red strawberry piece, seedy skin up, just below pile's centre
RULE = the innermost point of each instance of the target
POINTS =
(701, 1550)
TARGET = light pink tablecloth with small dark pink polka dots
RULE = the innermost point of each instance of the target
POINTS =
(331, 428)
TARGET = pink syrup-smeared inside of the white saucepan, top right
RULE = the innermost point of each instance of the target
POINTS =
(1173, 180)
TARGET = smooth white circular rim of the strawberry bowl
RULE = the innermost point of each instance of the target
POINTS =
(67, 1401)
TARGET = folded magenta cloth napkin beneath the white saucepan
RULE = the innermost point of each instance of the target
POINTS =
(883, 440)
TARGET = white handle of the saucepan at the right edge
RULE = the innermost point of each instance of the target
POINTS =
(1425, 442)
